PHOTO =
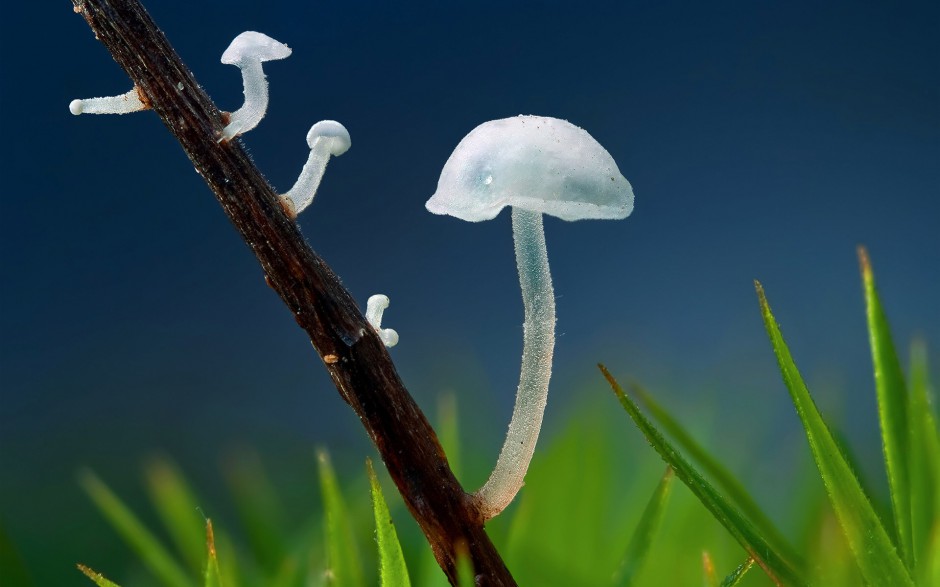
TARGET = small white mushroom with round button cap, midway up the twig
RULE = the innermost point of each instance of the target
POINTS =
(324, 138)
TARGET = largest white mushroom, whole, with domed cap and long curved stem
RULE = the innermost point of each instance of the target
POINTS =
(536, 165)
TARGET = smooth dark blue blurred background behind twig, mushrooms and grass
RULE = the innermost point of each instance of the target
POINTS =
(763, 140)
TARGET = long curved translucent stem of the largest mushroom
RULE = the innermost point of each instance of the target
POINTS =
(538, 345)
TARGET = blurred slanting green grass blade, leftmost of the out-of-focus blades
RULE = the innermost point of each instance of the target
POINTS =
(154, 555)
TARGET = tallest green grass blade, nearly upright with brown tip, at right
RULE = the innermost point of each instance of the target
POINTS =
(892, 409)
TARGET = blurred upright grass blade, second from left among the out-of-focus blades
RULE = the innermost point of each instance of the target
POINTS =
(178, 510)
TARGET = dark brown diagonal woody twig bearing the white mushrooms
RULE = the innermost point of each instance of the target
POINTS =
(356, 359)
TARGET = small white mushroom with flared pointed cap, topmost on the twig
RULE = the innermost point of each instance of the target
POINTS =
(248, 51)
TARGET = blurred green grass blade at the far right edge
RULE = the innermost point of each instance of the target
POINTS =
(924, 456)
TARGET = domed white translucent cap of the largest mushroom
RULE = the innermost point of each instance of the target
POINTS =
(538, 163)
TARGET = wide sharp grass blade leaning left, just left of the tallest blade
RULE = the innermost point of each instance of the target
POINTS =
(873, 549)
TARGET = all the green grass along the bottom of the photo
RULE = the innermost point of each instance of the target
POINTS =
(581, 518)
